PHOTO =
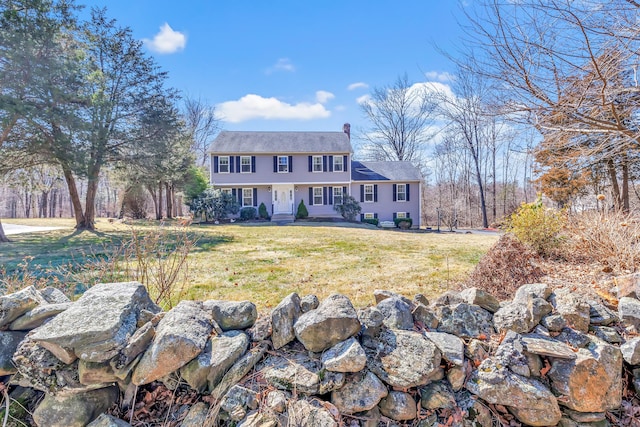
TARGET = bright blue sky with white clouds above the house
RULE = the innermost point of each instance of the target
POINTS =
(291, 65)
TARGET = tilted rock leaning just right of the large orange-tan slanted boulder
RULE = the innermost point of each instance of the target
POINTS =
(220, 353)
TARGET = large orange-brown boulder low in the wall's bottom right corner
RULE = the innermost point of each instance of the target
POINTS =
(592, 382)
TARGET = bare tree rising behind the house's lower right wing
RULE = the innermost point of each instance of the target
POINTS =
(401, 116)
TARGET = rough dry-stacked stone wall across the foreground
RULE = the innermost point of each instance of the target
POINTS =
(545, 358)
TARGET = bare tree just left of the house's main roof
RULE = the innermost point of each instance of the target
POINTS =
(202, 125)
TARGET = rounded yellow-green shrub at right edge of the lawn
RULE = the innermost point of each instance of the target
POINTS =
(537, 226)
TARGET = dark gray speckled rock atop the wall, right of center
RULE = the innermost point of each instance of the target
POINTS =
(464, 320)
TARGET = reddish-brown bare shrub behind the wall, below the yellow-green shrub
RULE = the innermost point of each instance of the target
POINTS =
(507, 265)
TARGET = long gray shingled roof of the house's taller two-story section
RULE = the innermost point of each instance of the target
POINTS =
(228, 142)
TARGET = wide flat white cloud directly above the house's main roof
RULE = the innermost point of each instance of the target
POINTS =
(253, 106)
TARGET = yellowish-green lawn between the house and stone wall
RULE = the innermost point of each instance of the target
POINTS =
(264, 263)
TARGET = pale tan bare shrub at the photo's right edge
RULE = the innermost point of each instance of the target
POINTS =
(609, 238)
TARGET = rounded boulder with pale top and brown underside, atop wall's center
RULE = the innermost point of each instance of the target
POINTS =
(333, 321)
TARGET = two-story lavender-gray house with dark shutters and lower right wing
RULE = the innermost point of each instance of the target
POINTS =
(280, 169)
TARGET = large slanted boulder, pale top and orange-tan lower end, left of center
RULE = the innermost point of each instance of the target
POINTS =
(181, 335)
